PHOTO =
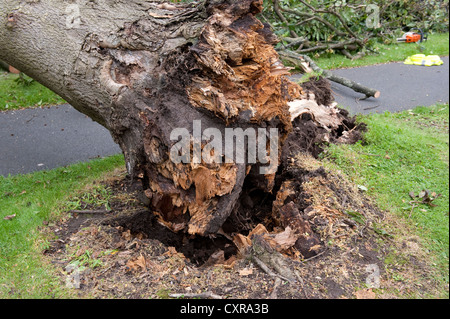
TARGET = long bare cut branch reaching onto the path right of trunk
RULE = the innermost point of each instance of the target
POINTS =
(357, 87)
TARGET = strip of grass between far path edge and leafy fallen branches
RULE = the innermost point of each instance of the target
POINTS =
(437, 44)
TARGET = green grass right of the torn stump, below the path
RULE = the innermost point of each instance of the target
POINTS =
(402, 153)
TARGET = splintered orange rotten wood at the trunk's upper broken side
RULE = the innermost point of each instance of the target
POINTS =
(250, 77)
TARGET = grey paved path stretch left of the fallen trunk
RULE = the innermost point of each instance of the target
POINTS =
(38, 139)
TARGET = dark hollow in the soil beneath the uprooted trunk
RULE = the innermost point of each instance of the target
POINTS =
(254, 207)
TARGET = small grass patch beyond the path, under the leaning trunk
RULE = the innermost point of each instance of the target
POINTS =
(17, 94)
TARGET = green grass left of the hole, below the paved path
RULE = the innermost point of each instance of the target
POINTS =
(34, 199)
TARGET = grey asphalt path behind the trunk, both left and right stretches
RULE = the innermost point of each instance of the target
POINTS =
(41, 139)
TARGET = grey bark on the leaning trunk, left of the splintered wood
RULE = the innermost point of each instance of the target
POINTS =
(77, 49)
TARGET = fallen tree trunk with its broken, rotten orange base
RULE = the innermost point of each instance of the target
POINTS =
(151, 72)
